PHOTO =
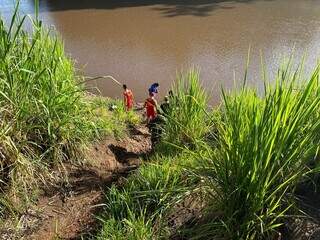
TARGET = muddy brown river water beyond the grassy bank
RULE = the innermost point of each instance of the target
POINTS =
(140, 42)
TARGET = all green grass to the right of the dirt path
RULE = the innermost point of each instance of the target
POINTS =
(244, 159)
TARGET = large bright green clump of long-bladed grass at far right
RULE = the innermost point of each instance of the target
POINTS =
(265, 145)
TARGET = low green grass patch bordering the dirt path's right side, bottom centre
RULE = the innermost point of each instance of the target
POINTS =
(137, 209)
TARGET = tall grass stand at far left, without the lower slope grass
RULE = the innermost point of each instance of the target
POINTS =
(39, 98)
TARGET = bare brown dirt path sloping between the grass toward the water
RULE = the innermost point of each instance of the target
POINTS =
(68, 209)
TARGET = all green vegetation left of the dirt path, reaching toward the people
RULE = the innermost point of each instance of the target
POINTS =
(46, 118)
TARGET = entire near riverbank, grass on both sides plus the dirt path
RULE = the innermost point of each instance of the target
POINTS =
(240, 171)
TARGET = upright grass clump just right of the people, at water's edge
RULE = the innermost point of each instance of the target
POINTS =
(187, 121)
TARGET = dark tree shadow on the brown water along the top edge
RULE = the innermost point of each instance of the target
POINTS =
(169, 8)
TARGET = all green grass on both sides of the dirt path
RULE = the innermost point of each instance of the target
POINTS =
(246, 157)
